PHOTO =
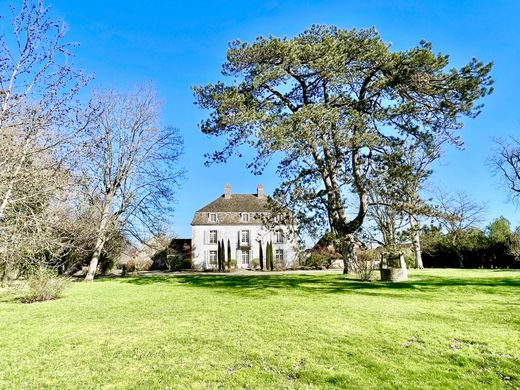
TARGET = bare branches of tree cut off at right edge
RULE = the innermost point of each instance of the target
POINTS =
(506, 161)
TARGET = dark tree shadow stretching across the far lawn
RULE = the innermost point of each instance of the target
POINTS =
(327, 284)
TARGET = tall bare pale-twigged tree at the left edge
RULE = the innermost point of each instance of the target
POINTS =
(39, 84)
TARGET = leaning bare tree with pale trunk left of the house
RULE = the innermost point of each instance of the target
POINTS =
(129, 166)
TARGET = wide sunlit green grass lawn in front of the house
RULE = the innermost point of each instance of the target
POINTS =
(440, 329)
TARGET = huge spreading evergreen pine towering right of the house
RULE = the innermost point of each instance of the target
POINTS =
(327, 102)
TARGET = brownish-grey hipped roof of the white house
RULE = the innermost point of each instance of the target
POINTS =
(229, 210)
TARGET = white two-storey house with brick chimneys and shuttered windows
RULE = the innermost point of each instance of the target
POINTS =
(239, 219)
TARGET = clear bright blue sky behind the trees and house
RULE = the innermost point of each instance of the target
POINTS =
(177, 44)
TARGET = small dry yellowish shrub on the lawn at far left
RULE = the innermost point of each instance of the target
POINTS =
(44, 285)
